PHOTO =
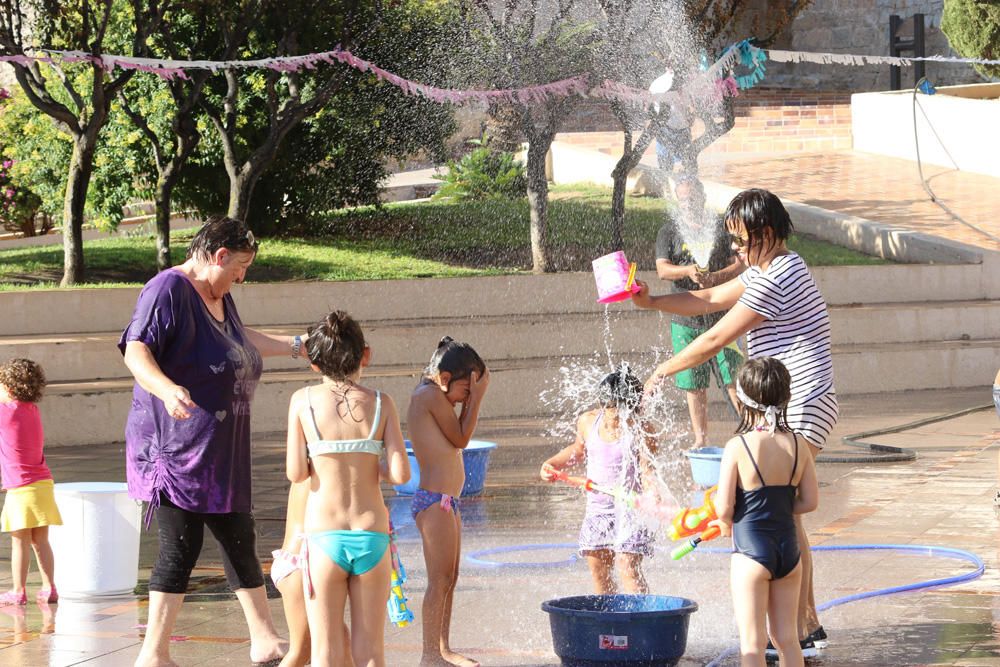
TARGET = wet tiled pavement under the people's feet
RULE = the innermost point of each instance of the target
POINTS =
(942, 499)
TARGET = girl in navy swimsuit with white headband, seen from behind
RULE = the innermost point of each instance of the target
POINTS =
(767, 477)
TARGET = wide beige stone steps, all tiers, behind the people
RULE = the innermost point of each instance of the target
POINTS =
(895, 328)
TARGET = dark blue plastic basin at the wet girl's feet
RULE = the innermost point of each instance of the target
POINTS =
(605, 630)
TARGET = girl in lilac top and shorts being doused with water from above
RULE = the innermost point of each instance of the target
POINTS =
(606, 438)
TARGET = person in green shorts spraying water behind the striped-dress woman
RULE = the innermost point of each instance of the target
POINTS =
(675, 262)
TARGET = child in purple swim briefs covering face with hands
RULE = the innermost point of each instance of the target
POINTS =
(455, 374)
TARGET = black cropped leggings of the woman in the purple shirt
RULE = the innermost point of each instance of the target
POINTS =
(181, 535)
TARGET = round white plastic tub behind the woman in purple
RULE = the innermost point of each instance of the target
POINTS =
(97, 548)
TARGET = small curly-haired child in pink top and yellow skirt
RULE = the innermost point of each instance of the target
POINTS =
(30, 507)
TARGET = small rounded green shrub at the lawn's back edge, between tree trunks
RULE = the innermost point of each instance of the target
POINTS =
(483, 174)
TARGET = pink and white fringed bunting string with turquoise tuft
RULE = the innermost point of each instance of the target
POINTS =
(718, 80)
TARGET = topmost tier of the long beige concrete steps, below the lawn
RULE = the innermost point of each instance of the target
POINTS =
(56, 312)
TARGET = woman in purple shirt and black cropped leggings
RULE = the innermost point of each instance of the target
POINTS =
(188, 433)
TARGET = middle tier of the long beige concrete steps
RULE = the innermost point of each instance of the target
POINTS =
(623, 331)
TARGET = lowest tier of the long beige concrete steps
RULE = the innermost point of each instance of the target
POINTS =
(94, 412)
